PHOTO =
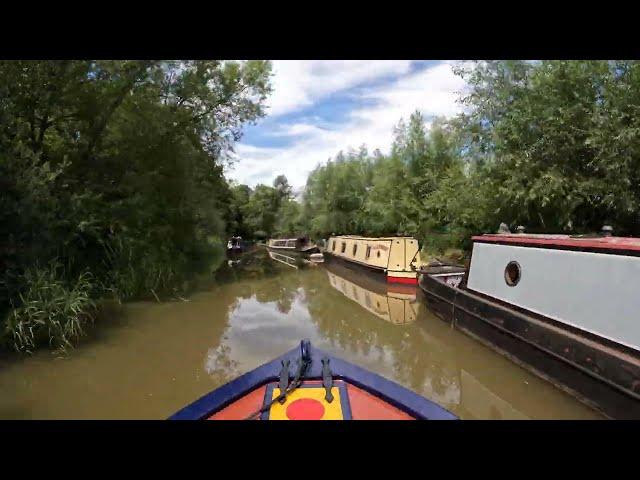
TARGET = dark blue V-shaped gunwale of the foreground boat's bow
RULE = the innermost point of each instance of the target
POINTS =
(391, 392)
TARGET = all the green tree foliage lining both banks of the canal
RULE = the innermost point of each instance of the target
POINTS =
(112, 171)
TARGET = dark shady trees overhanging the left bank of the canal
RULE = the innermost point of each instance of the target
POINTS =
(115, 167)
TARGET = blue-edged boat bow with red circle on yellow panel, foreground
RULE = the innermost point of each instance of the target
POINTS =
(308, 384)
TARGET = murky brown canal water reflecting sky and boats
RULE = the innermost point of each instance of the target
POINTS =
(150, 359)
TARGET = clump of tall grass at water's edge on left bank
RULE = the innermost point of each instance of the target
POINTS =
(50, 310)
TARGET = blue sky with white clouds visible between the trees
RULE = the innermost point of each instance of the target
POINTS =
(318, 108)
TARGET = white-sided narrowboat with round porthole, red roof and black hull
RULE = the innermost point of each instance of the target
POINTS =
(564, 307)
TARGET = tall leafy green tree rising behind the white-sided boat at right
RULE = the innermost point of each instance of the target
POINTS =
(540, 129)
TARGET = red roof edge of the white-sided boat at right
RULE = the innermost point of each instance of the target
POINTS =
(573, 242)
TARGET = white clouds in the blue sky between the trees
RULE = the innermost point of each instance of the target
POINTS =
(433, 91)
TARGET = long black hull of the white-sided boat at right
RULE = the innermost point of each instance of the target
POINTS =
(604, 376)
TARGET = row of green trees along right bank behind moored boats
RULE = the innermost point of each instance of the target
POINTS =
(552, 145)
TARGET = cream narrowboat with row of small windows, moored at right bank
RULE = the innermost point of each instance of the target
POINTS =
(397, 258)
